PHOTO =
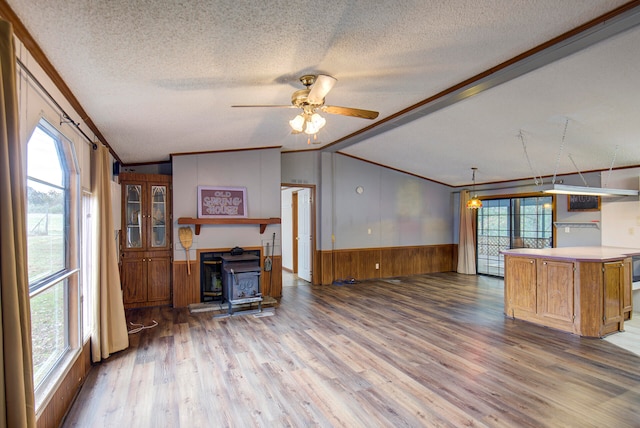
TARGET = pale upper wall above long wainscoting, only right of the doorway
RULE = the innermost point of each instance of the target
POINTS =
(394, 209)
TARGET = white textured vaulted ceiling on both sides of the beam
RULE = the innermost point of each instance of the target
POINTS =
(159, 77)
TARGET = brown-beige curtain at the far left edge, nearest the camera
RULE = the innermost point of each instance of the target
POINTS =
(18, 403)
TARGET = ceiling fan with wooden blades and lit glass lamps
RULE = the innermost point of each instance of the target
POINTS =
(311, 101)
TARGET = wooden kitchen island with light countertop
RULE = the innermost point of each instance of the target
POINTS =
(581, 290)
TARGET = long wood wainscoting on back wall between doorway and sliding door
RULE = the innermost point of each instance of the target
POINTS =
(392, 261)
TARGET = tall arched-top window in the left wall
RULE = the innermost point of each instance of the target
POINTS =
(52, 246)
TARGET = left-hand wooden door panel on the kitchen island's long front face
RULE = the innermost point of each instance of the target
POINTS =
(520, 281)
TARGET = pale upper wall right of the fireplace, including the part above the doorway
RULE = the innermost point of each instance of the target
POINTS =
(394, 209)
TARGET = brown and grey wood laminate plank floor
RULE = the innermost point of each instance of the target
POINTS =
(427, 350)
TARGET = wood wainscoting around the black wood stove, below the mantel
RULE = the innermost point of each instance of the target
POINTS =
(186, 288)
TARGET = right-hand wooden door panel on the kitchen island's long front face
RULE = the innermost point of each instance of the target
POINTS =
(556, 292)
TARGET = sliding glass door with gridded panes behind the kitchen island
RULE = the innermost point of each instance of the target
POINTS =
(512, 223)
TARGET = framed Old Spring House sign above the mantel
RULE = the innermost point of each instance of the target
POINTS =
(222, 202)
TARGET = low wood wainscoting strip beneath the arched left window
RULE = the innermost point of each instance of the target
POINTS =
(60, 402)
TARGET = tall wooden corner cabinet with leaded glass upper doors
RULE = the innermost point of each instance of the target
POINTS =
(145, 246)
